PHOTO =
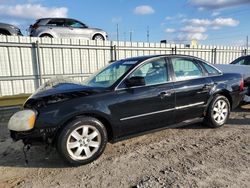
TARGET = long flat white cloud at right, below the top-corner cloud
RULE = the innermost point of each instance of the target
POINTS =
(216, 23)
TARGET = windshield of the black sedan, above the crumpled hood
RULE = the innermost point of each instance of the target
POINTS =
(107, 76)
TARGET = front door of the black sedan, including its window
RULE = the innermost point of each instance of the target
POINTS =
(146, 107)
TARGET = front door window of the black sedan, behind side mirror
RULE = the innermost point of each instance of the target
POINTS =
(153, 72)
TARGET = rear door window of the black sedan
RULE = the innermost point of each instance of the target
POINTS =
(185, 69)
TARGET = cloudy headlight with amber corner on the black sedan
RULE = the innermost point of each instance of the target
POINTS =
(22, 121)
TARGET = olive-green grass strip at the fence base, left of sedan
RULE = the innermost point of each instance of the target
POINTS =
(14, 100)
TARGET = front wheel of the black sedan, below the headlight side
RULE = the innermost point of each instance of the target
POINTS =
(79, 148)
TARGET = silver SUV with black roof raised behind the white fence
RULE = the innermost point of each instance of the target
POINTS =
(65, 27)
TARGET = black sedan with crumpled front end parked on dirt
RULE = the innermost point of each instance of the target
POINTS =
(126, 98)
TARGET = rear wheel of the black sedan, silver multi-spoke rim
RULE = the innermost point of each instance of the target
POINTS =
(218, 112)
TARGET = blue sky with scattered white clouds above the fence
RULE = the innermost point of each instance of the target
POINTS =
(210, 22)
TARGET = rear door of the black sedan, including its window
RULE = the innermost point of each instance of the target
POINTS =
(191, 87)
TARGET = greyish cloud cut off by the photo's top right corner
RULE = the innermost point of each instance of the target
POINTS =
(217, 4)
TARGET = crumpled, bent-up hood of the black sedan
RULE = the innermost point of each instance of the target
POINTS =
(62, 86)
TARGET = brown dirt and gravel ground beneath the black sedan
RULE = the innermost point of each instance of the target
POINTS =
(193, 156)
